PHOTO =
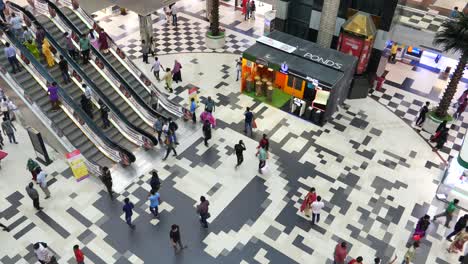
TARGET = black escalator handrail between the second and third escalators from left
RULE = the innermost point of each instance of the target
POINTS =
(80, 71)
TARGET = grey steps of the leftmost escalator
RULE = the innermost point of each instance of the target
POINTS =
(61, 120)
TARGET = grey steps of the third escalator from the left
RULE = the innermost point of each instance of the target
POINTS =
(100, 82)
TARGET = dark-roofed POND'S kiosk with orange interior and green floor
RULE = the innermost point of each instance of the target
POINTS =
(297, 76)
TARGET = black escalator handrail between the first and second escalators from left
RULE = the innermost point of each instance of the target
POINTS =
(65, 97)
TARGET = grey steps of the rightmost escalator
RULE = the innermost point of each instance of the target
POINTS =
(119, 67)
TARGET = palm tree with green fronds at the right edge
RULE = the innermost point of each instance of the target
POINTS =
(454, 38)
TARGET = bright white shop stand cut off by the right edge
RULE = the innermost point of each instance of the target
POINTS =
(455, 181)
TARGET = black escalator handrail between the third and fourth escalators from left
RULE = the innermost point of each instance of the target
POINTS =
(115, 74)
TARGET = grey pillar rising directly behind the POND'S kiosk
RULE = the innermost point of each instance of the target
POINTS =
(328, 22)
